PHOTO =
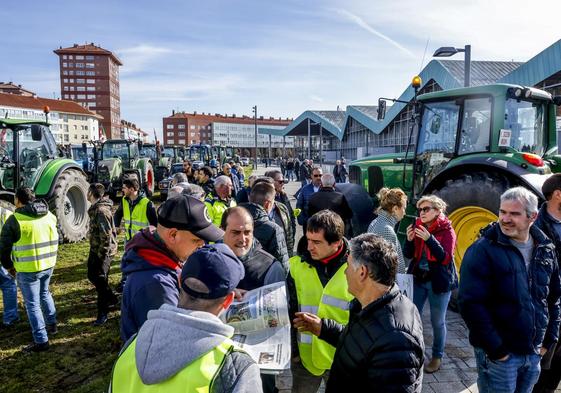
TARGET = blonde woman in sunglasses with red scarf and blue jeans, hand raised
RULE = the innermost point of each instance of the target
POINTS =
(430, 245)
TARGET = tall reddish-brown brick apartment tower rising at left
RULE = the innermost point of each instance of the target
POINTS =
(89, 75)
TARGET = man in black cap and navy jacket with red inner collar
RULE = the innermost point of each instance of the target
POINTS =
(153, 258)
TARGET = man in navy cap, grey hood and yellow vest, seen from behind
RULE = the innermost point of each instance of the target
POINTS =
(188, 348)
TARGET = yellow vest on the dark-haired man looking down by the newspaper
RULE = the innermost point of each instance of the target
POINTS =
(331, 302)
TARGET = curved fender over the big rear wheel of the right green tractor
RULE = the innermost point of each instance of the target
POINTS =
(511, 170)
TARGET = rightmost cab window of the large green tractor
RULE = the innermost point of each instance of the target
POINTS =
(525, 120)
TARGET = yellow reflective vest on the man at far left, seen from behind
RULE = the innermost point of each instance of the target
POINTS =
(37, 246)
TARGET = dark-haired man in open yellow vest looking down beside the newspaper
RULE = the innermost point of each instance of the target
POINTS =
(316, 284)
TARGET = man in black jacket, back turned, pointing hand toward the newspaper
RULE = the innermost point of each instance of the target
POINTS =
(382, 346)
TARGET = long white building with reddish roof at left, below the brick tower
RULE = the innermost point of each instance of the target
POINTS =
(70, 123)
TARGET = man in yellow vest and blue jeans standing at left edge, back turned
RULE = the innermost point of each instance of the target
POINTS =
(28, 246)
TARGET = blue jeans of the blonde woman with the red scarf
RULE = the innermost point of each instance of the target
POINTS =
(438, 304)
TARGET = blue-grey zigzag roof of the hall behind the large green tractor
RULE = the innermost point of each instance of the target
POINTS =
(448, 74)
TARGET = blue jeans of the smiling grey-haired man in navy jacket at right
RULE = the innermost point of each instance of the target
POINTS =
(517, 374)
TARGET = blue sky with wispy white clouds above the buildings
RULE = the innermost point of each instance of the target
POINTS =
(283, 56)
